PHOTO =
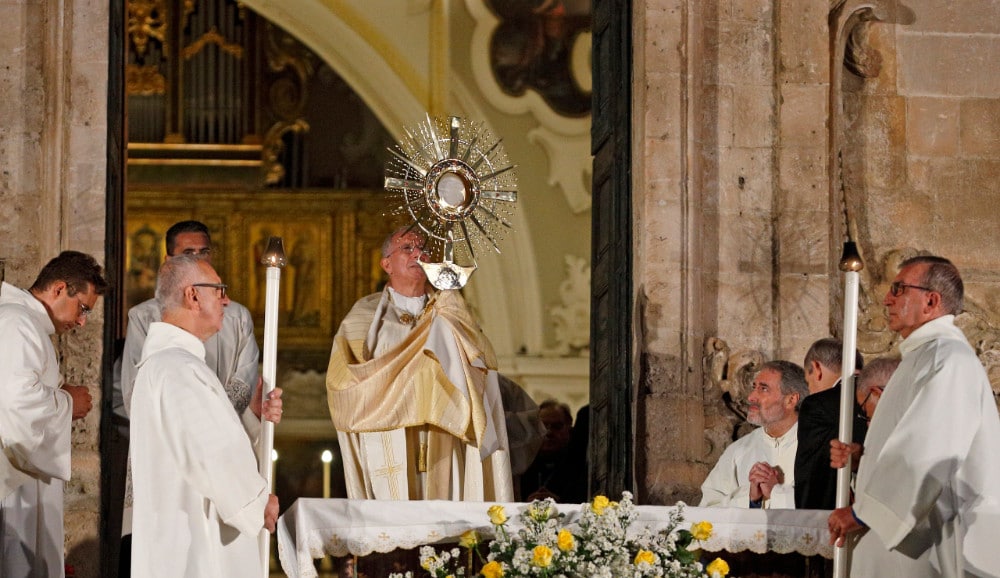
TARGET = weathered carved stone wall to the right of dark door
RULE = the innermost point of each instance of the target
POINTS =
(758, 153)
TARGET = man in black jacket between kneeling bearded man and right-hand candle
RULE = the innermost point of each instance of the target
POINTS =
(819, 422)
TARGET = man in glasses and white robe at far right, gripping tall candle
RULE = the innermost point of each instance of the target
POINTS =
(928, 485)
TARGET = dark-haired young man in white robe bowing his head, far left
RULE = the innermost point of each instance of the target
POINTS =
(36, 409)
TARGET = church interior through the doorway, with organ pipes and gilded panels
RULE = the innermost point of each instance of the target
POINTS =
(255, 134)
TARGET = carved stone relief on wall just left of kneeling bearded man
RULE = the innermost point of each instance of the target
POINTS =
(728, 376)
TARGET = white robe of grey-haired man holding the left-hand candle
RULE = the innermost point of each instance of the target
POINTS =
(199, 499)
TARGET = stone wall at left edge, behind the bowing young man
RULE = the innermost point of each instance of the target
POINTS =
(52, 182)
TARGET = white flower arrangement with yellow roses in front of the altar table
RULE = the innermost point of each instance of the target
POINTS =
(600, 545)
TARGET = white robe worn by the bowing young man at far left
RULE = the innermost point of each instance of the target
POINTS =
(35, 417)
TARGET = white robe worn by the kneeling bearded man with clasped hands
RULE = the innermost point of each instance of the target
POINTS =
(728, 484)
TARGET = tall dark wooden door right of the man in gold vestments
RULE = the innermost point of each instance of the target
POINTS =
(611, 389)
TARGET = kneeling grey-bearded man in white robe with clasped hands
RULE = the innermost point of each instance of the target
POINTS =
(757, 470)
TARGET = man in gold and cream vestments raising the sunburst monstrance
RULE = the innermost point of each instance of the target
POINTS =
(413, 393)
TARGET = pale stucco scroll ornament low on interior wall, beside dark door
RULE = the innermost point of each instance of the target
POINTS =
(572, 317)
